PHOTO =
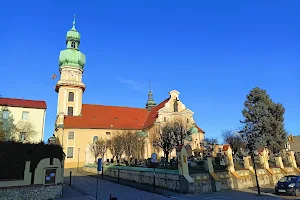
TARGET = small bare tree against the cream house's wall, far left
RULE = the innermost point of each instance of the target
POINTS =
(25, 131)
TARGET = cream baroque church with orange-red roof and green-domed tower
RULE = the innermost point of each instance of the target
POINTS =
(78, 125)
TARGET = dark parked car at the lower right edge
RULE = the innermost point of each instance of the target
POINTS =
(288, 185)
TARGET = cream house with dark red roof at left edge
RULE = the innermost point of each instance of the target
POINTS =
(28, 117)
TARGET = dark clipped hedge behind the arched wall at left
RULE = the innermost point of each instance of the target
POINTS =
(13, 156)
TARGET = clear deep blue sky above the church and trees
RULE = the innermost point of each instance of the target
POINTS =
(212, 52)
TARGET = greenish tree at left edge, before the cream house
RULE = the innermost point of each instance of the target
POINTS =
(7, 127)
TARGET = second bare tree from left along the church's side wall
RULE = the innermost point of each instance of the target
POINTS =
(116, 145)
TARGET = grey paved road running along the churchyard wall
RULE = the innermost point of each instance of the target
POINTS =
(84, 187)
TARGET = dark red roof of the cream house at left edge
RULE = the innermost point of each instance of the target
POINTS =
(23, 103)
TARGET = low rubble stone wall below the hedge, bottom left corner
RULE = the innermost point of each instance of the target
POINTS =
(41, 192)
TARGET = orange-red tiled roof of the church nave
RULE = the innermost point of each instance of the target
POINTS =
(114, 117)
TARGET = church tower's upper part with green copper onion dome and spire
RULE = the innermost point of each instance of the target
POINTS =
(70, 86)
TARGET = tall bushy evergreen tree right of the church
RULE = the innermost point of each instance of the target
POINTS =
(263, 121)
